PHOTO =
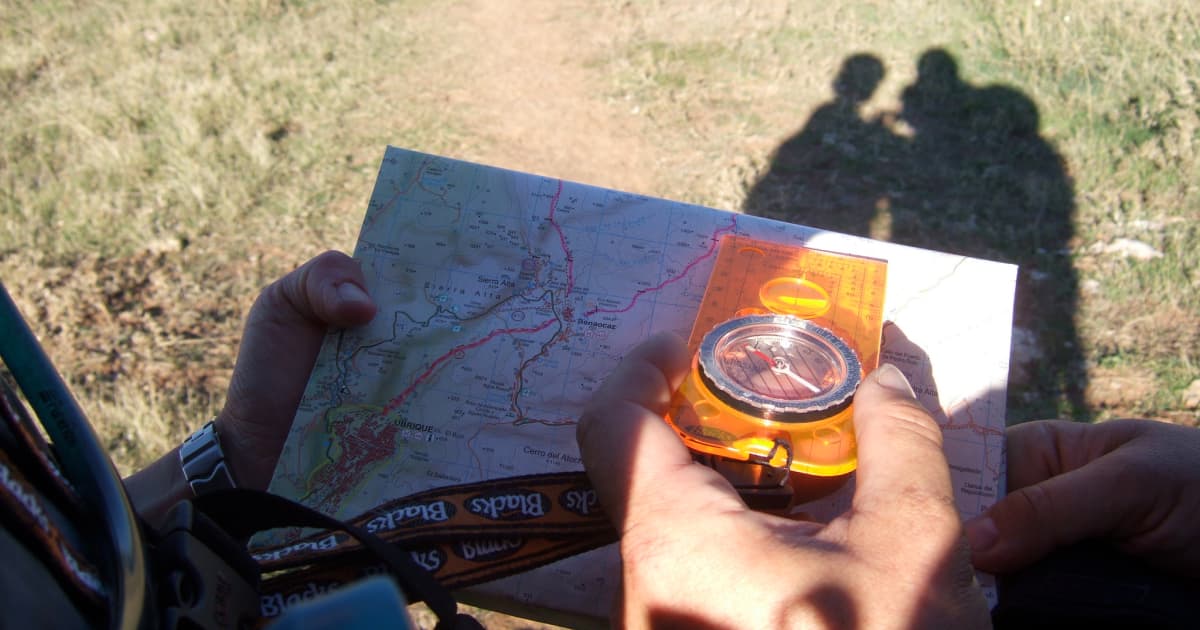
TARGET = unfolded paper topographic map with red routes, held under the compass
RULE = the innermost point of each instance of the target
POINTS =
(506, 299)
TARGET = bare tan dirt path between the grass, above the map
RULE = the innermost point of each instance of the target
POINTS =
(524, 83)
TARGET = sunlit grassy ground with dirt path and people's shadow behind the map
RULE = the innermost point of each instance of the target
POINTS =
(161, 160)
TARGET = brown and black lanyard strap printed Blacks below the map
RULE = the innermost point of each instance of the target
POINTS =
(463, 536)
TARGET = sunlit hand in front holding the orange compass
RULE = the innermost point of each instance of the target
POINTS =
(695, 556)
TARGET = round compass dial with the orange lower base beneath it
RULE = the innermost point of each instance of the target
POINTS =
(772, 389)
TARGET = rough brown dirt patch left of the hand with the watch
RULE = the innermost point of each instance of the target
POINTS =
(158, 325)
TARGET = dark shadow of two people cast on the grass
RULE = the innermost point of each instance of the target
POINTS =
(974, 178)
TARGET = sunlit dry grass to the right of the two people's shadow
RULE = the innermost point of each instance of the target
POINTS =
(1117, 85)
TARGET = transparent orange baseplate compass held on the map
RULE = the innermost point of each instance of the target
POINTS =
(783, 339)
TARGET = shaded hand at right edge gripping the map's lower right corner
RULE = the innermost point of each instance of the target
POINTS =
(1133, 483)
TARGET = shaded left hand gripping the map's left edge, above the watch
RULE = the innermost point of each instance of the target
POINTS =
(284, 334)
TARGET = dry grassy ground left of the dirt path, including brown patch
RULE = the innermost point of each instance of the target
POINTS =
(218, 145)
